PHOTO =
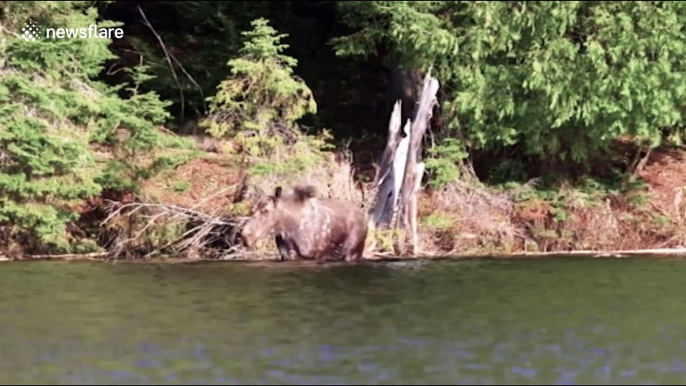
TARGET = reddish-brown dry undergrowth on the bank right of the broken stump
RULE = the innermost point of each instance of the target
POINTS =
(473, 218)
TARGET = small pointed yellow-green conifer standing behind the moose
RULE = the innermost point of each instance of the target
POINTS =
(262, 93)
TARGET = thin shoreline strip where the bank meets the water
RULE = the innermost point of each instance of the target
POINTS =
(652, 254)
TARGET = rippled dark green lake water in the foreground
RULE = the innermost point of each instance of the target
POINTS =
(478, 322)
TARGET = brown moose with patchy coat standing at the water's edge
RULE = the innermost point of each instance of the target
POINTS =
(313, 228)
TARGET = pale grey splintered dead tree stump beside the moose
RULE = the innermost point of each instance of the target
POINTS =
(399, 177)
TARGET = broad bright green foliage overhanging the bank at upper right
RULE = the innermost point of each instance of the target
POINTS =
(560, 80)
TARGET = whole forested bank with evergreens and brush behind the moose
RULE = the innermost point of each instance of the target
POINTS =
(558, 125)
